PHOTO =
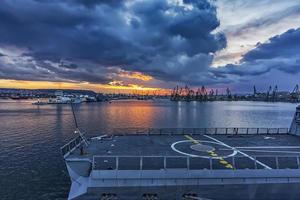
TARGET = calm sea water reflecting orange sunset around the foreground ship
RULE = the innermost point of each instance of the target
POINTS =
(31, 166)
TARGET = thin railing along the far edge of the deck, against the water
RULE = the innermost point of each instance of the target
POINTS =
(198, 131)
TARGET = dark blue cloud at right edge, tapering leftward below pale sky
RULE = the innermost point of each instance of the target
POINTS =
(281, 52)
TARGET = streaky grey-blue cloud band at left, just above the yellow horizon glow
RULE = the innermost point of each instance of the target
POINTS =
(45, 71)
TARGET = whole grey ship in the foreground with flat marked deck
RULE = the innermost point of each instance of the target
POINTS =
(186, 163)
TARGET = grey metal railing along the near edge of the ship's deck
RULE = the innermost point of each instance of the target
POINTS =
(117, 163)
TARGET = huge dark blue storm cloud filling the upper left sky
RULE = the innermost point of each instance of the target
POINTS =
(169, 41)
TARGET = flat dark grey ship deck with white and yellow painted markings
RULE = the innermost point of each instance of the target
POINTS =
(134, 152)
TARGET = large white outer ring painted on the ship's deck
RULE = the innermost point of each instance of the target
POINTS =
(207, 157)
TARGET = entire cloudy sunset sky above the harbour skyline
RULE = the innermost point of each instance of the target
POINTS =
(114, 45)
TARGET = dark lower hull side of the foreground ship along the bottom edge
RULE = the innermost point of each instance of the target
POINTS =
(284, 191)
